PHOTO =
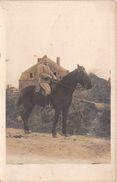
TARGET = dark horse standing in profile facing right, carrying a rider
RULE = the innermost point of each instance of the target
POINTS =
(60, 98)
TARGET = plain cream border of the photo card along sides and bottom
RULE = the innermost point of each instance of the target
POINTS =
(57, 172)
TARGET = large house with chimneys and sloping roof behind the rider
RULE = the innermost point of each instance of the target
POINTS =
(30, 76)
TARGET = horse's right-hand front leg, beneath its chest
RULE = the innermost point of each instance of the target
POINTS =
(64, 119)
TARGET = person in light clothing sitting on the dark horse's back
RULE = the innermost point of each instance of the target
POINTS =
(44, 76)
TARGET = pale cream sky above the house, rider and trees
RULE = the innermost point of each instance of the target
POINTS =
(79, 32)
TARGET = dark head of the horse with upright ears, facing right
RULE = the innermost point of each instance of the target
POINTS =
(83, 77)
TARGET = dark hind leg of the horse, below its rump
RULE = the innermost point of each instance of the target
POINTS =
(25, 116)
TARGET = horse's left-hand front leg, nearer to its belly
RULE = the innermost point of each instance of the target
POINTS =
(57, 112)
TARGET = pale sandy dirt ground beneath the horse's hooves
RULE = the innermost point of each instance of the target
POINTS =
(40, 148)
